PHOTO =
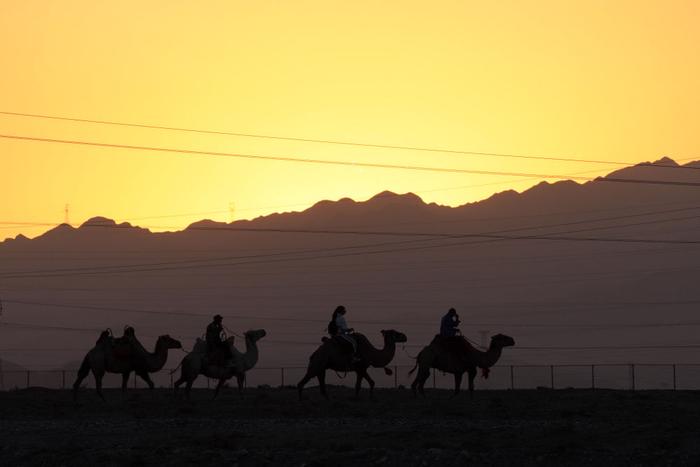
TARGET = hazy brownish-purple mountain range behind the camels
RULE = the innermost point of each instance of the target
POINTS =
(395, 262)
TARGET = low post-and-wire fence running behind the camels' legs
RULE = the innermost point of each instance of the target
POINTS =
(595, 376)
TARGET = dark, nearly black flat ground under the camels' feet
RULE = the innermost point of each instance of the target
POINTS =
(270, 427)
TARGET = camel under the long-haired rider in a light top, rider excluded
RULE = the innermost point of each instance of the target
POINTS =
(334, 354)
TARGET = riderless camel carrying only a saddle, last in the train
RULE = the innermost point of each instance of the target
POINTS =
(105, 358)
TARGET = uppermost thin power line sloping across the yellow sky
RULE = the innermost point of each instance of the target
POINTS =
(335, 142)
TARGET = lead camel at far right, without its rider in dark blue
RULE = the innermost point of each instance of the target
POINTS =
(436, 356)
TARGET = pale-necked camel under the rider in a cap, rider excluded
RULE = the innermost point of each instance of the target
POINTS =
(195, 363)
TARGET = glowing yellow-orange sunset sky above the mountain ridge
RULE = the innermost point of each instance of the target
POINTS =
(596, 79)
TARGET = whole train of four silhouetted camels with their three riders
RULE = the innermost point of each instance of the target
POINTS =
(344, 351)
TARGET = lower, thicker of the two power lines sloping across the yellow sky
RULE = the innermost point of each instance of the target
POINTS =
(345, 163)
